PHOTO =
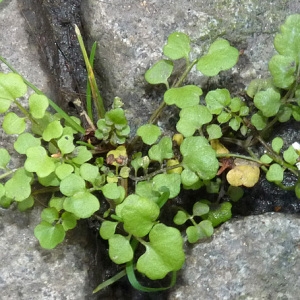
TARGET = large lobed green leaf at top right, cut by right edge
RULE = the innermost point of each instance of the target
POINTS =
(287, 42)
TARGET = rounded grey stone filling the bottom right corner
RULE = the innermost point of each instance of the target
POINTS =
(253, 258)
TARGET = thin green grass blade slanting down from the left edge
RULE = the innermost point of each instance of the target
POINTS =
(62, 113)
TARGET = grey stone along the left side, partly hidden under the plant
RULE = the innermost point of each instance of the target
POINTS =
(27, 270)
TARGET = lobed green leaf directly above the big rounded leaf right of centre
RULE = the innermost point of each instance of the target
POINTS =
(192, 118)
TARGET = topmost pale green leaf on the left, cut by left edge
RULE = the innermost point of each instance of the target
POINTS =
(12, 86)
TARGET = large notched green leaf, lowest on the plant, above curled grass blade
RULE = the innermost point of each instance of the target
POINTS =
(163, 254)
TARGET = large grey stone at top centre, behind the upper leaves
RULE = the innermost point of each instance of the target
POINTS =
(130, 36)
